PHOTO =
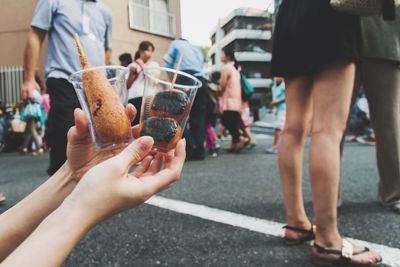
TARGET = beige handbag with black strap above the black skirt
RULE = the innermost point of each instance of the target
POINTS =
(367, 7)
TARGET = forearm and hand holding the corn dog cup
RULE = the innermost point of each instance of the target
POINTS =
(82, 156)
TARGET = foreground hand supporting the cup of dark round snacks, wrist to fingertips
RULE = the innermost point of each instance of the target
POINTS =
(109, 187)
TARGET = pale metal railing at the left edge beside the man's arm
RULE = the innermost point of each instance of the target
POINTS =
(11, 80)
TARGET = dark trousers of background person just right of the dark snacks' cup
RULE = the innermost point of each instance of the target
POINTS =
(195, 132)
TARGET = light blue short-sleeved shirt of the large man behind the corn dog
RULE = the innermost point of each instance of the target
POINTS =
(91, 20)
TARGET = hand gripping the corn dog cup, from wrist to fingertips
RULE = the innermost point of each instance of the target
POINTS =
(81, 152)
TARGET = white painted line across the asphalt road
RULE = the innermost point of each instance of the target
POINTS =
(391, 256)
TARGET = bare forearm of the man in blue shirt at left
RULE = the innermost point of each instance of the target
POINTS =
(32, 51)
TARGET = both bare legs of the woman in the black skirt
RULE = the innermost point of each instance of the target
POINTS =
(313, 106)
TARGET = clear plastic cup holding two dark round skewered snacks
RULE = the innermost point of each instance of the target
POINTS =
(166, 105)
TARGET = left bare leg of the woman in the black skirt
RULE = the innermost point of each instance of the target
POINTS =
(297, 127)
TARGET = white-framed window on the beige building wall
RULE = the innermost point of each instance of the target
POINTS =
(151, 16)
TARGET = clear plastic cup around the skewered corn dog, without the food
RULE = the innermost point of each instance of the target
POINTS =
(116, 76)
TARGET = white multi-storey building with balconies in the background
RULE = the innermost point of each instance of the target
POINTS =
(249, 33)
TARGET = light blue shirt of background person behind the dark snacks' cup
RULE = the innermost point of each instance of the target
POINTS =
(192, 56)
